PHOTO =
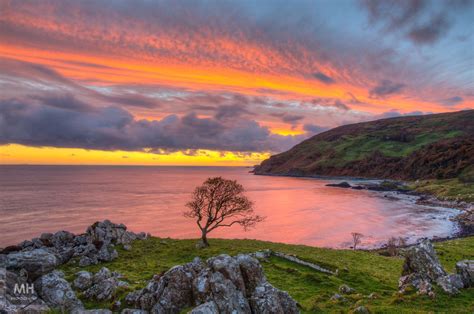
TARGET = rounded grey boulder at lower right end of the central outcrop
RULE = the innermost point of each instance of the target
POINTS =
(267, 299)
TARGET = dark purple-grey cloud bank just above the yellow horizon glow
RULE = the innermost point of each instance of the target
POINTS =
(112, 128)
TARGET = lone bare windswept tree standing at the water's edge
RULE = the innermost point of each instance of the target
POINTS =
(219, 202)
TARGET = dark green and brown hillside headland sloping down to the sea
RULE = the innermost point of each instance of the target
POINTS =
(439, 146)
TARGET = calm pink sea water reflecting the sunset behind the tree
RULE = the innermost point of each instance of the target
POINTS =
(36, 199)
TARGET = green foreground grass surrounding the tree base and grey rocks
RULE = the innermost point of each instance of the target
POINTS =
(366, 272)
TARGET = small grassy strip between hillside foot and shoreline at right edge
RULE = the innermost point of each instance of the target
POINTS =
(449, 189)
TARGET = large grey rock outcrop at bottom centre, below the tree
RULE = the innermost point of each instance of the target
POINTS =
(223, 284)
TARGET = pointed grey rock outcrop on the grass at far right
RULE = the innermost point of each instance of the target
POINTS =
(422, 269)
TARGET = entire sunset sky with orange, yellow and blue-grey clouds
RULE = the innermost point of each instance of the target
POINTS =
(219, 82)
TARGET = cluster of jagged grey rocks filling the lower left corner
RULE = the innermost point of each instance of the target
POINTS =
(37, 259)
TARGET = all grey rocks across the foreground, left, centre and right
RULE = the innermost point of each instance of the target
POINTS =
(220, 284)
